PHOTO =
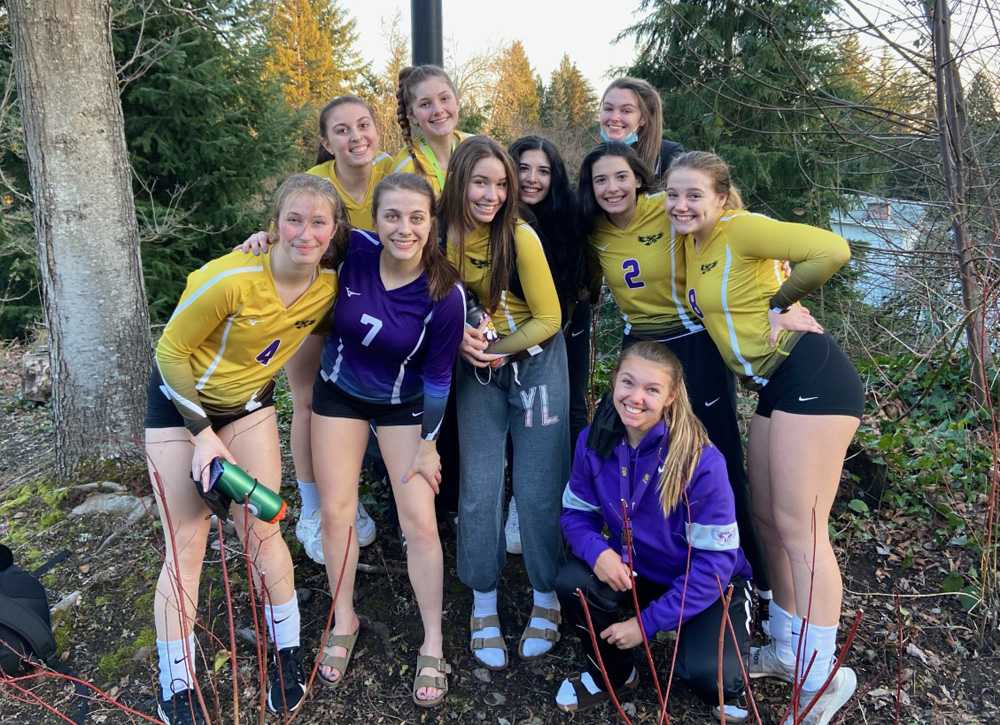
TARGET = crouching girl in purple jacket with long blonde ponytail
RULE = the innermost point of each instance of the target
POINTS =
(686, 545)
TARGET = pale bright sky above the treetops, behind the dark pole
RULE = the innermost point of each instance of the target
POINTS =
(583, 28)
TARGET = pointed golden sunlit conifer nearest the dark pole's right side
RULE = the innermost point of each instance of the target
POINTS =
(515, 105)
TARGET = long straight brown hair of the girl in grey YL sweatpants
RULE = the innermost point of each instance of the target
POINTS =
(456, 212)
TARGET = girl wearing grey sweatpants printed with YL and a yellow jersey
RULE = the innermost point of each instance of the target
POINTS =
(512, 378)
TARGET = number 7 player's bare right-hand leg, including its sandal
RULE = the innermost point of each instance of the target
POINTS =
(424, 560)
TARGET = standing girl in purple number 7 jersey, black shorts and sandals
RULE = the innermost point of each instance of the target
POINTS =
(387, 361)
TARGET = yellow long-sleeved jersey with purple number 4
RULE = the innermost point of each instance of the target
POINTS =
(230, 334)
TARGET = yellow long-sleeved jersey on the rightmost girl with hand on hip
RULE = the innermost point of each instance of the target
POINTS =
(736, 276)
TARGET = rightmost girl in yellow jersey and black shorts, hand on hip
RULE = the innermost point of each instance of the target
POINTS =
(810, 404)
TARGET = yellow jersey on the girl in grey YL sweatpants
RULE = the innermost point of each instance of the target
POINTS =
(522, 323)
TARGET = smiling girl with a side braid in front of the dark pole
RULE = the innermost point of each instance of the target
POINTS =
(427, 98)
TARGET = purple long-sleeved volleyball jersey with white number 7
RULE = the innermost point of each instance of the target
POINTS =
(392, 346)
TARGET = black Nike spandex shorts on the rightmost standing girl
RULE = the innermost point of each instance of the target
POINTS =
(815, 379)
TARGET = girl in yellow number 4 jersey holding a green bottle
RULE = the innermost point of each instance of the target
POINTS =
(210, 395)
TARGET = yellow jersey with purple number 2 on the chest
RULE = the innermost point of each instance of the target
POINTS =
(643, 265)
